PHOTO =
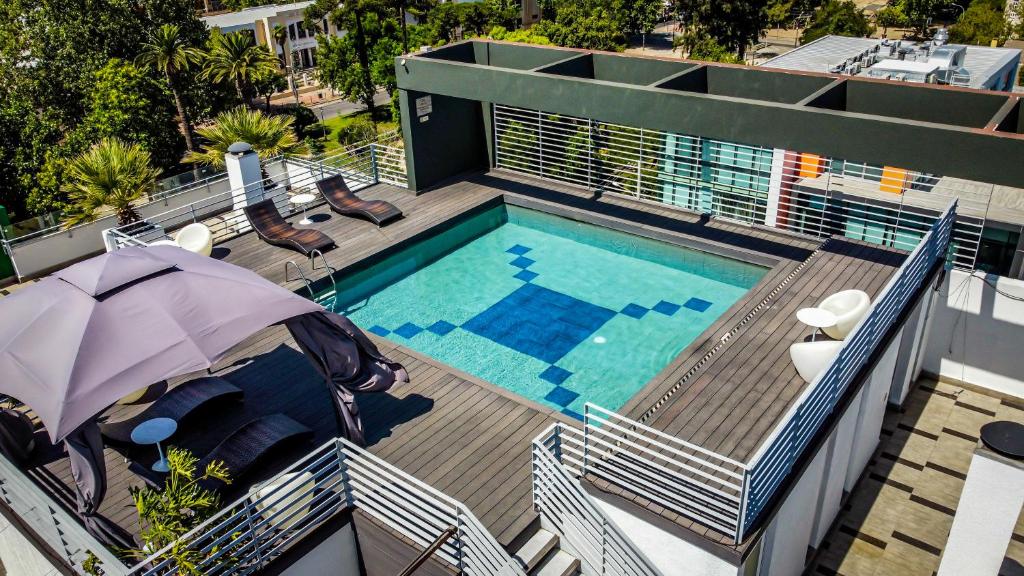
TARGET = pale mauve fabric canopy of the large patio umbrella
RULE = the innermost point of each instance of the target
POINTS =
(77, 342)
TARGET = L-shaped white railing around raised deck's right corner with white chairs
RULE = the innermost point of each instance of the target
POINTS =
(712, 489)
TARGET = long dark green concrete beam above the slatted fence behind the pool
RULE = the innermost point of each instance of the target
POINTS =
(948, 150)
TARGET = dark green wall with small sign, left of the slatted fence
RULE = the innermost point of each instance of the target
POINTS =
(450, 141)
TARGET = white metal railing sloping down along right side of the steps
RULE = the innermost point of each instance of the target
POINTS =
(584, 530)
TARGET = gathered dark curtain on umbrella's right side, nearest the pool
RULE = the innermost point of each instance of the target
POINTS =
(350, 363)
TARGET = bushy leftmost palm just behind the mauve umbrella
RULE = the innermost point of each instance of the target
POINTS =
(111, 176)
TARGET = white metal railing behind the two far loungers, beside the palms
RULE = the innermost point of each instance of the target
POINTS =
(362, 167)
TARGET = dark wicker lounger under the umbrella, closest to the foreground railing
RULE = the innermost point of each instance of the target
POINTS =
(252, 441)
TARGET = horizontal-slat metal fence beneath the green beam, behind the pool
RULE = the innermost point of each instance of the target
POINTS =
(793, 191)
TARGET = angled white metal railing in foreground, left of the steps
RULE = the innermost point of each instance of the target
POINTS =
(250, 533)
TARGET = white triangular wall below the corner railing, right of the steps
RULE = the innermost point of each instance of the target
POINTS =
(673, 556)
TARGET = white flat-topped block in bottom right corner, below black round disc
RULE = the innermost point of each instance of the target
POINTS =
(986, 517)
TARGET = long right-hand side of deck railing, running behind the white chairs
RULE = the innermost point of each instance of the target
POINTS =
(781, 452)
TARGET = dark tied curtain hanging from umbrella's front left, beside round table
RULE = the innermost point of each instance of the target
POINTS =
(86, 450)
